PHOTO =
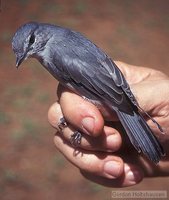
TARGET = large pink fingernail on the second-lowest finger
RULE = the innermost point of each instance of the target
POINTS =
(112, 169)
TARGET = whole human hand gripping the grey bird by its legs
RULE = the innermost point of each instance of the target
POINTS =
(105, 156)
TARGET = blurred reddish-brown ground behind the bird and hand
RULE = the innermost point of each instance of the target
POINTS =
(30, 167)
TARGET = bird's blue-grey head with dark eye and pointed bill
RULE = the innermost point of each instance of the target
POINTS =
(28, 40)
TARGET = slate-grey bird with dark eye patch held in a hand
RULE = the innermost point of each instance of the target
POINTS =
(80, 65)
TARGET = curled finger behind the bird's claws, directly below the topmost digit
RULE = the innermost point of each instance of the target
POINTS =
(109, 140)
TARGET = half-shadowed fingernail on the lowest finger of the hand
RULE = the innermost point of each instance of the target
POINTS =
(134, 176)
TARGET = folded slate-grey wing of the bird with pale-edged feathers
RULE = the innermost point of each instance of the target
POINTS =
(90, 70)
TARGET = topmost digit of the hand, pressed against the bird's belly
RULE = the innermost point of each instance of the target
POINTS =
(81, 113)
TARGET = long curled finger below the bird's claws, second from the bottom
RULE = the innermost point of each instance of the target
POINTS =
(98, 163)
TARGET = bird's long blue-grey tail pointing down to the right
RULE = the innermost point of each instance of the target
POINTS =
(141, 136)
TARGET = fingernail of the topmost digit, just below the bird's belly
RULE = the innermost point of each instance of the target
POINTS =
(88, 124)
